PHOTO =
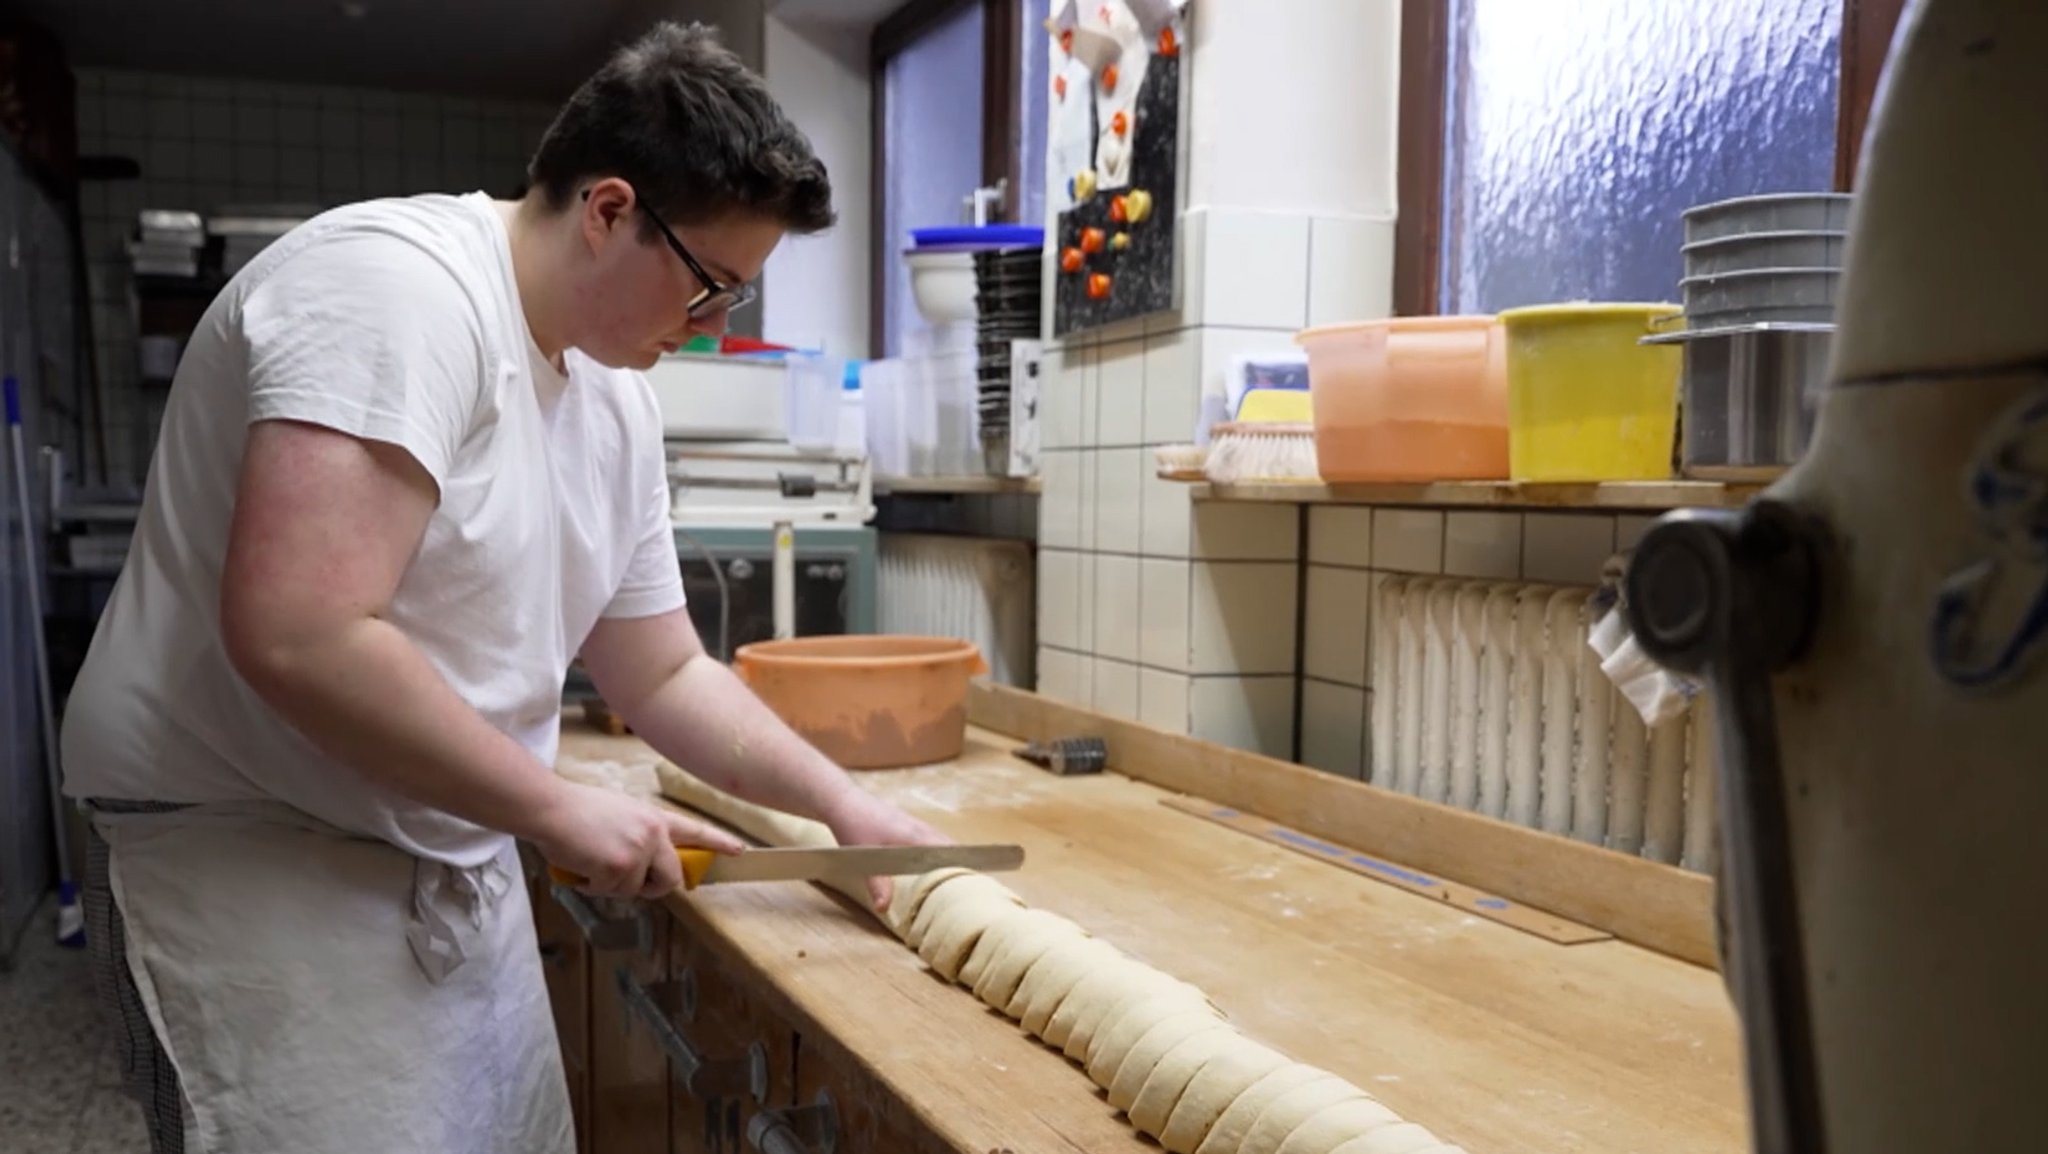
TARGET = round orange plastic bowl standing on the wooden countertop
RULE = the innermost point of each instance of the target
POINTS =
(869, 702)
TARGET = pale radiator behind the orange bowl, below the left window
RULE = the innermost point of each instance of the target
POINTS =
(978, 589)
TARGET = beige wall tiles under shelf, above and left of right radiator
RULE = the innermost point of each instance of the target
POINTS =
(1351, 550)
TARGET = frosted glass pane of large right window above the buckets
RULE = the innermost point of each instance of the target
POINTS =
(1580, 130)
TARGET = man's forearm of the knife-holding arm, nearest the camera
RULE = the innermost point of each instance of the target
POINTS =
(368, 698)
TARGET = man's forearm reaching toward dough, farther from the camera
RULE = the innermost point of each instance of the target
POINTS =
(708, 720)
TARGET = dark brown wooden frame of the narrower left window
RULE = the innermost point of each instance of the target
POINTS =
(1000, 122)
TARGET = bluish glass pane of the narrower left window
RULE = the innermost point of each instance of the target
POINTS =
(931, 151)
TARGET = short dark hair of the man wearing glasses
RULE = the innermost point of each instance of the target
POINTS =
(693, 130)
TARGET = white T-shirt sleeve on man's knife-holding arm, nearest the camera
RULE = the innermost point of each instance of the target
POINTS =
(374, 337)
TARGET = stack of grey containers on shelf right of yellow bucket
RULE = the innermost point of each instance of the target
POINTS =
(1760, 286)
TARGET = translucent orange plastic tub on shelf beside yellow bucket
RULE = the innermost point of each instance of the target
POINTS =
(1416, 399)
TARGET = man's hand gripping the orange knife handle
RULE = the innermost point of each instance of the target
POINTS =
(622, 848)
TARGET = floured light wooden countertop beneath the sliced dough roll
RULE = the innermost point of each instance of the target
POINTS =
(1494, 1038)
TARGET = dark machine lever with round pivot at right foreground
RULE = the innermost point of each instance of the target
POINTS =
(1734, 597)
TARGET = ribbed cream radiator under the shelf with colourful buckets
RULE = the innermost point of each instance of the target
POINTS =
(1486, 696)
